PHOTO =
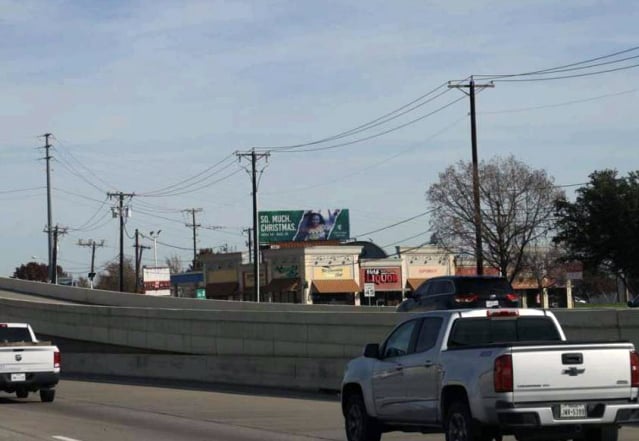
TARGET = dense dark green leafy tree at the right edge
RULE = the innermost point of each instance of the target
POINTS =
(601, 228)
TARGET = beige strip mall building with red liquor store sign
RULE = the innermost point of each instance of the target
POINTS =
(355, 273)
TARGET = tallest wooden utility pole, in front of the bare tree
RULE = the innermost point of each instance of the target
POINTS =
(479, 252)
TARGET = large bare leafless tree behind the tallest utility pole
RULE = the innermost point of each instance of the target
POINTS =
(517, 204)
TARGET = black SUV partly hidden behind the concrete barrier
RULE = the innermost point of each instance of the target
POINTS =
(456, 292)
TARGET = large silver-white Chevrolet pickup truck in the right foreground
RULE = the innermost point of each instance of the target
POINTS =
(478, 375)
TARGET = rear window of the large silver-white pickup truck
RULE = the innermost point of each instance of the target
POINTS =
(482, 330)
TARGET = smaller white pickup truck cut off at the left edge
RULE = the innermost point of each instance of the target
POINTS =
(26, 364)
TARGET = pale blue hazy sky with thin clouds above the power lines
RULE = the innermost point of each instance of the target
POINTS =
(156, 98)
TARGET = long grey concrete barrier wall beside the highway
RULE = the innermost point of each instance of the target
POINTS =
(304, 349)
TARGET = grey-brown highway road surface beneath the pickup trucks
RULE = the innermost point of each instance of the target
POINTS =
(99, 411)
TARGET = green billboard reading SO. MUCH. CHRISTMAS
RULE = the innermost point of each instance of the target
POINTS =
(301, 225)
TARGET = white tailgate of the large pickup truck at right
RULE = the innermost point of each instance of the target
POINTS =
(572, 371)
